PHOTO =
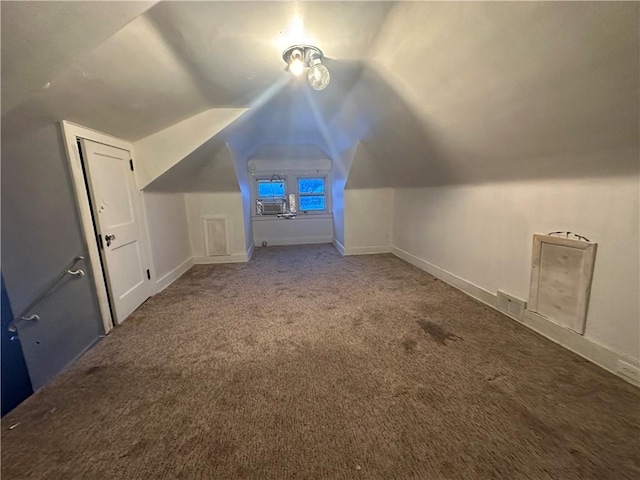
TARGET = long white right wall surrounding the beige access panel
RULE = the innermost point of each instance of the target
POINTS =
(483, 234)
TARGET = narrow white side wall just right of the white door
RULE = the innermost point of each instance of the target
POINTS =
(168, 236)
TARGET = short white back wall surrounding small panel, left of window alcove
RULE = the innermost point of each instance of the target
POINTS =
(228, 204)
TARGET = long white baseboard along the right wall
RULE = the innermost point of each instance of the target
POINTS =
(585, 347)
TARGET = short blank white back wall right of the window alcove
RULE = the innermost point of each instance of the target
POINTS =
(368, 220)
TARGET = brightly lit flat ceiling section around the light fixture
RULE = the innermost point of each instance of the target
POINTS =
(233, 49)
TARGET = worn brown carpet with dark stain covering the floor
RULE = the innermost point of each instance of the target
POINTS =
(303, 364)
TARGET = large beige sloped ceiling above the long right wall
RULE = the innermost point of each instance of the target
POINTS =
(516, 90)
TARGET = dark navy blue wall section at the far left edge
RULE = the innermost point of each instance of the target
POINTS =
(16, 385)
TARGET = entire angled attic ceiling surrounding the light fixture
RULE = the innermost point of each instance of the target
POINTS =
(433, 92)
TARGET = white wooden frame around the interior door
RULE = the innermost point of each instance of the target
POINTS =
(71, 132)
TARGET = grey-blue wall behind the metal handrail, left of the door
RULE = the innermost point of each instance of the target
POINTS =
(41, 234)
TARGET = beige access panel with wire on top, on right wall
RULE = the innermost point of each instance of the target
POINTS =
(561, 274)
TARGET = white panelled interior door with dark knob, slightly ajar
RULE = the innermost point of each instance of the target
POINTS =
(116, 209)
